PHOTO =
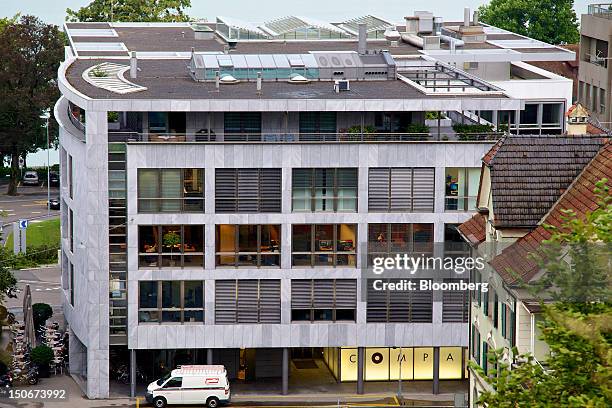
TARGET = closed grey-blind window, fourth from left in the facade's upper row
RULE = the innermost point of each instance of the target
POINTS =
(401, 189)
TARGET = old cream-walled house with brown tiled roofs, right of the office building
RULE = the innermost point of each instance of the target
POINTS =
(525, 184)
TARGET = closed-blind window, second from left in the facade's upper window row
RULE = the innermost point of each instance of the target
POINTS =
(247, 190)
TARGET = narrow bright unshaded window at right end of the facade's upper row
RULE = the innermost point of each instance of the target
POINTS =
(461, 188)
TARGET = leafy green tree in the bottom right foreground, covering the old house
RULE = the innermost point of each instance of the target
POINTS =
(577, 322)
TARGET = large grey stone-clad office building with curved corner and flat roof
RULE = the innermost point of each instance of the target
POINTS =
(225, 185)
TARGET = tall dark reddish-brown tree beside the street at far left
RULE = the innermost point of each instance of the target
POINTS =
(31, 53)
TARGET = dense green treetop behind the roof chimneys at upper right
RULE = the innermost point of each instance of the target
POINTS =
(551, 21)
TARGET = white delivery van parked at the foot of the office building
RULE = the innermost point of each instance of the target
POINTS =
(191, 384)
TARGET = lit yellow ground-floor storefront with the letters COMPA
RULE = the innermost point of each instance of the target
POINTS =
(386, 363)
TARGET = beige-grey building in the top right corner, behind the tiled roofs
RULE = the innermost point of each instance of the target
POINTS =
(595, 71)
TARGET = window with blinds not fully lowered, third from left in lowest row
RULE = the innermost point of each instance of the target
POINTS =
(331, 300)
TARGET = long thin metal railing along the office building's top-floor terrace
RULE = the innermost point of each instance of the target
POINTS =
(138, 137)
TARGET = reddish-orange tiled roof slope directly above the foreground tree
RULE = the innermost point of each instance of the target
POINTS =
(579, 197)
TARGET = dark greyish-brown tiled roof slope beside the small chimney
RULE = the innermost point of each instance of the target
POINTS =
(529, 174)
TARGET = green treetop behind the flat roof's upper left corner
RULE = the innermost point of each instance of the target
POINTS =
(132, 10)
